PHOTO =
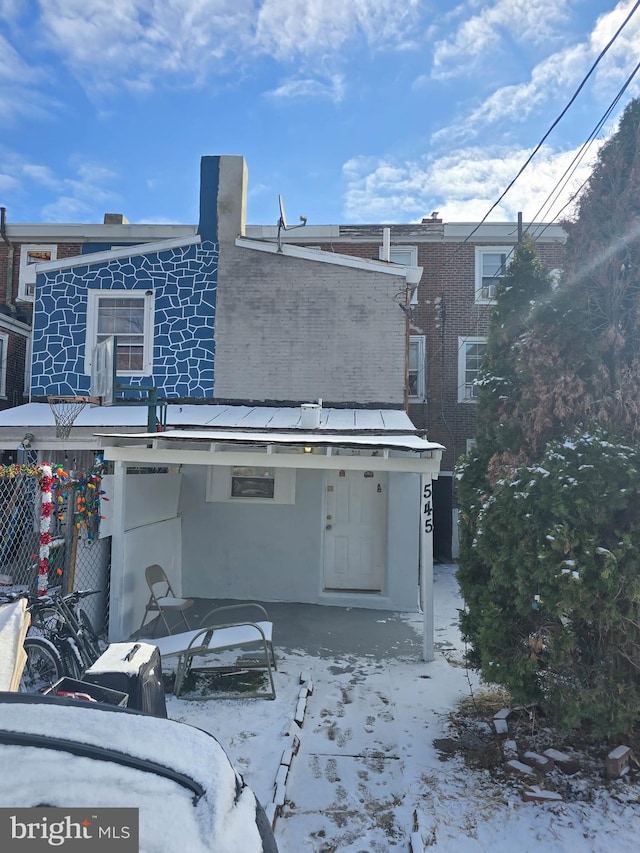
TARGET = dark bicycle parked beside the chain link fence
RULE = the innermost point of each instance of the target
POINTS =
(60, 642)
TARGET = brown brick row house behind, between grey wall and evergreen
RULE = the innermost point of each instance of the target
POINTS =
(447, 317)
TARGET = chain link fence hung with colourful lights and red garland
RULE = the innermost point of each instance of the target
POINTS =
(78, 557)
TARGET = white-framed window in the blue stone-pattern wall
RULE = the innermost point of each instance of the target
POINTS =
(127, 314)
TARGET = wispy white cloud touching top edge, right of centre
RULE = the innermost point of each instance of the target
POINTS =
(478, 37)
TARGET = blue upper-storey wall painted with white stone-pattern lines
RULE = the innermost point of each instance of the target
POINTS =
(184, 281)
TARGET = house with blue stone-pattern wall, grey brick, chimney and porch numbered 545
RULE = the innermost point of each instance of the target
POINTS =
(287, 467)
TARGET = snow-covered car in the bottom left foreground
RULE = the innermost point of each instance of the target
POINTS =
(71, 754)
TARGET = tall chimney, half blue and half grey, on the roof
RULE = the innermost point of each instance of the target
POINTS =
(223, 198)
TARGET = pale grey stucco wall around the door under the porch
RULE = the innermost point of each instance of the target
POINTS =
(274, 553)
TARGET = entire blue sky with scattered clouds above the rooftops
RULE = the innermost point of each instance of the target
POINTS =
(353, 110)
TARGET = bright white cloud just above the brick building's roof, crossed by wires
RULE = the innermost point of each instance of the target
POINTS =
(461, 185)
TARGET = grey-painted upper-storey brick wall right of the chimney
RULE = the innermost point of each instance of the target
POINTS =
(290, 329)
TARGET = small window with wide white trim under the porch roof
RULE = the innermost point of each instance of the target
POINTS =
(250, 484)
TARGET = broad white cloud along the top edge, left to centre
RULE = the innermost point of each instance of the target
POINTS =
(184, 42)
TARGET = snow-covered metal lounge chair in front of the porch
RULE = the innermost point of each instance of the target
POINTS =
(213, 638)
